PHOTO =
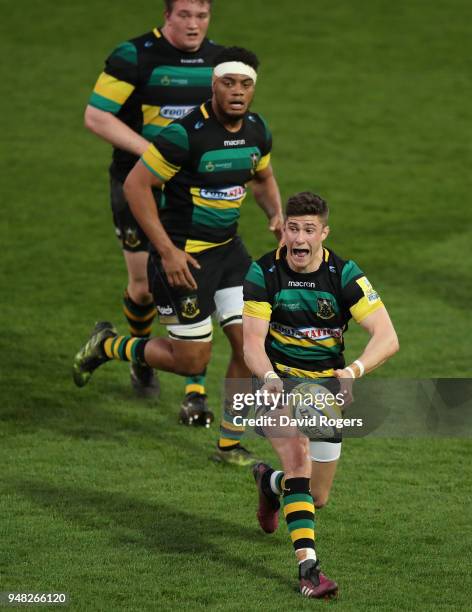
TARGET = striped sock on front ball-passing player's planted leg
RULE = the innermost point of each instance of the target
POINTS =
(299, 511)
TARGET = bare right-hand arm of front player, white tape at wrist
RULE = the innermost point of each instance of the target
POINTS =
(382, 345)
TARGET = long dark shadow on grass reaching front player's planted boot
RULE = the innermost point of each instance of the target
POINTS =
(157, 526)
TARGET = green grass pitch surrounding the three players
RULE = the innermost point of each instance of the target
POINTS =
(109, 499)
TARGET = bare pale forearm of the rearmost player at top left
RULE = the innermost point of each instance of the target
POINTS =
(111, 129)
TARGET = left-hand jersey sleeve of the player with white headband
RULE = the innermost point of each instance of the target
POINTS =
(169, 151)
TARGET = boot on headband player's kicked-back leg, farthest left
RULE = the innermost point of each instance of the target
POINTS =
(91, 355)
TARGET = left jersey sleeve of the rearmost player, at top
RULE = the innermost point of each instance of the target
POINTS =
(118, 80)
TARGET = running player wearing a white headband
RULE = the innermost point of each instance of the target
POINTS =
(198, 262)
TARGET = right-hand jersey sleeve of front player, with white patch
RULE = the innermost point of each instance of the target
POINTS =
(358, 294)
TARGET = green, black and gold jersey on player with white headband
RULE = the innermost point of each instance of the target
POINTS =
(205, 169)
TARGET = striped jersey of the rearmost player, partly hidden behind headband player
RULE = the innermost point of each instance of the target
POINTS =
(147, 83)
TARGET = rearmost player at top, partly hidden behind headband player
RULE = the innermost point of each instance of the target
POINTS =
(148, 82)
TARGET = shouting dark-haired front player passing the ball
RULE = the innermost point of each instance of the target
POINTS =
(298, 300)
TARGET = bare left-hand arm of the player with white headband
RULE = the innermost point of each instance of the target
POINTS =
(138, 191)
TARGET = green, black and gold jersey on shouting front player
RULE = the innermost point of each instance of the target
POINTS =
(308, 312)
